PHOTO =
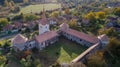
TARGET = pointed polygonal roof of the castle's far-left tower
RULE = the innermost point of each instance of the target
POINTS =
(19, 39)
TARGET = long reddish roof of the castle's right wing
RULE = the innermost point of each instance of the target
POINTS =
(86, 37)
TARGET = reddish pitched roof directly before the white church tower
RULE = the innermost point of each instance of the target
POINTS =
(46, 36)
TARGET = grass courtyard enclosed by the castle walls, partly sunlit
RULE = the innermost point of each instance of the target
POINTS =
(62, 51)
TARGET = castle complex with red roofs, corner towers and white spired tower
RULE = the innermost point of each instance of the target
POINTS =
(47, 37)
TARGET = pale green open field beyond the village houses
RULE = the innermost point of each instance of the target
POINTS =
(38, 8)
